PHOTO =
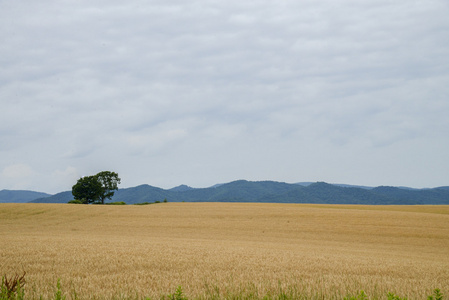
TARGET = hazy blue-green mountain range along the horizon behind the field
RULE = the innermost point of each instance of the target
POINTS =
(259, 191)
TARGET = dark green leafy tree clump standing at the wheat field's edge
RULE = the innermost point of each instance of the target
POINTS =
(96, 188)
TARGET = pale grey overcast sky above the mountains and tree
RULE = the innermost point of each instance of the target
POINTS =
(202, 92)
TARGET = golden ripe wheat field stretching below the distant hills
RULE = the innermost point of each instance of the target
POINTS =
(226, 249)
